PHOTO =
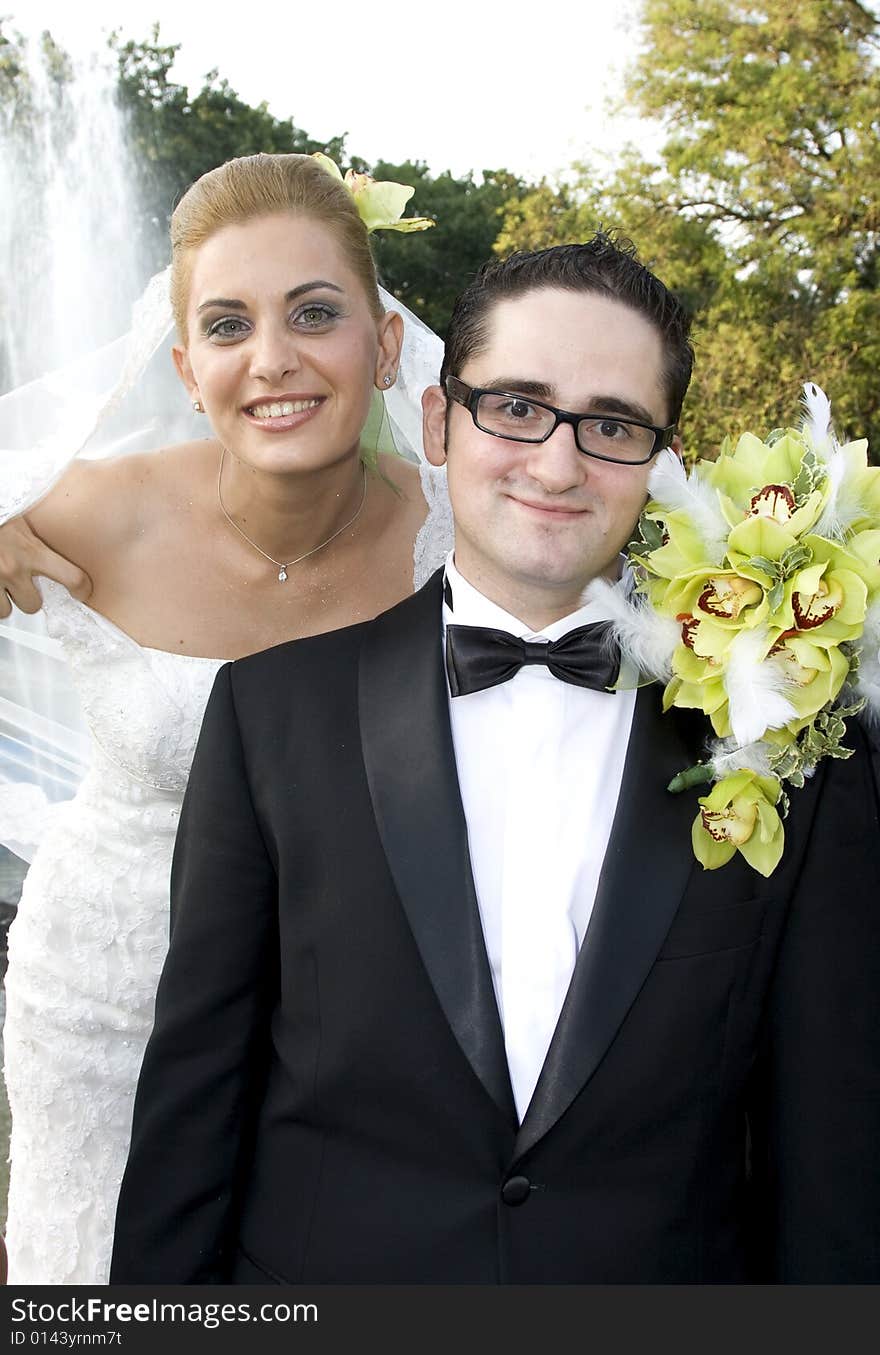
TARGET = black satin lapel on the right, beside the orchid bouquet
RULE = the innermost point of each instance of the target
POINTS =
(645, 875)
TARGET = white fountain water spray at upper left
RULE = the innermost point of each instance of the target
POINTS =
(70, 266)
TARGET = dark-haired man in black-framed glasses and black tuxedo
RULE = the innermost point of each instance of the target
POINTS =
(448, 997)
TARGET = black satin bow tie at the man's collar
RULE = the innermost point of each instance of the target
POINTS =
(479, 658)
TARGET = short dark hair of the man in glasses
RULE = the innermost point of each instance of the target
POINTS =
(605, 265)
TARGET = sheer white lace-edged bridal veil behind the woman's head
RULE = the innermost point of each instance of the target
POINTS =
(121, 399)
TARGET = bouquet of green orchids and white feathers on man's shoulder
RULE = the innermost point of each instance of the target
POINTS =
(757, 601)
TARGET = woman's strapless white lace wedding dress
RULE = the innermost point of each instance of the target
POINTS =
(89, 941)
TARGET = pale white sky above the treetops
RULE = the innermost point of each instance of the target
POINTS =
(455, 83)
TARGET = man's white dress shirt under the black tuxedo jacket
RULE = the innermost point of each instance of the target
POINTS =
(540, 765)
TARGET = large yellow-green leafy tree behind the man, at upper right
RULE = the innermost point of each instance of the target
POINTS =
(763, 212)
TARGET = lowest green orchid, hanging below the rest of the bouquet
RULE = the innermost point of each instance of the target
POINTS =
(740, 815)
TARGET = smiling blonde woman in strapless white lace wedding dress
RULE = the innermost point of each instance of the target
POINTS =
(279, 525)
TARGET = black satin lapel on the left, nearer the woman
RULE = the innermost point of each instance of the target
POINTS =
(410, 764)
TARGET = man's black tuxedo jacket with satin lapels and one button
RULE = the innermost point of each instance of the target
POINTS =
(326, 1094)
